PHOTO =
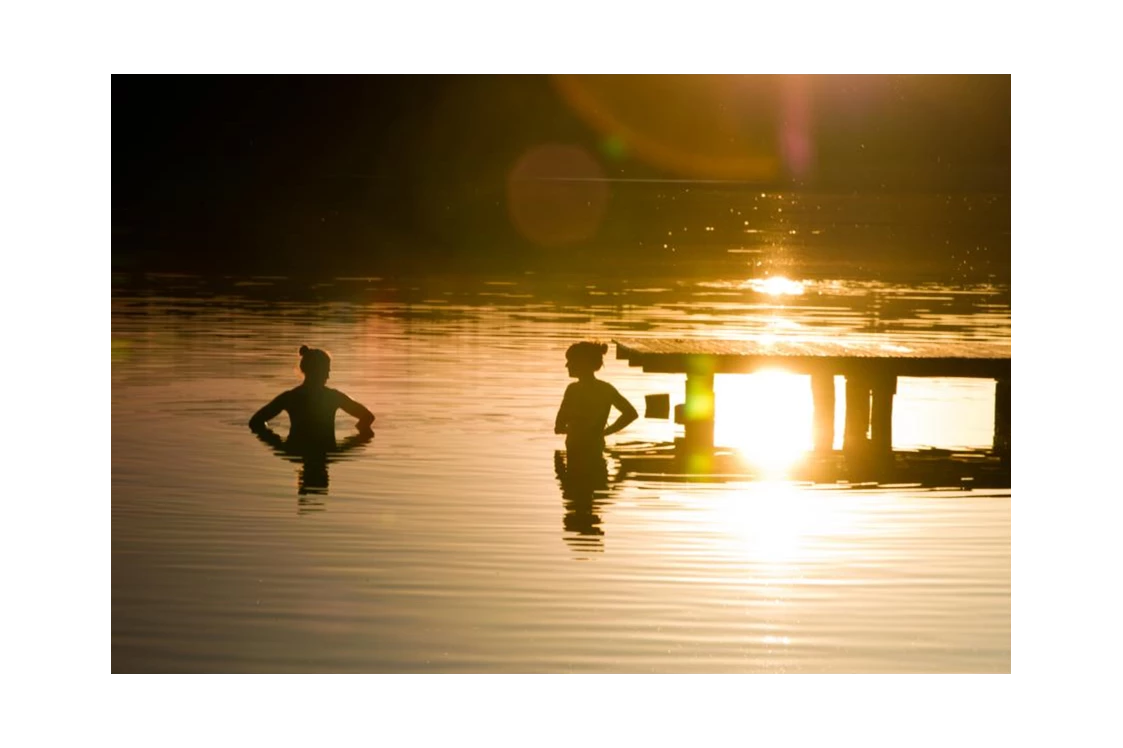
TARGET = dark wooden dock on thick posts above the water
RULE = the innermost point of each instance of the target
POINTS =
(871, 370)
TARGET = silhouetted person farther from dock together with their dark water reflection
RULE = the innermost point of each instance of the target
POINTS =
(312, 409)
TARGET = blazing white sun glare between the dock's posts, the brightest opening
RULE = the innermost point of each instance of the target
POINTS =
(766, 417)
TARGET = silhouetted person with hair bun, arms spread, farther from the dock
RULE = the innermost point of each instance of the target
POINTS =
(313, 406)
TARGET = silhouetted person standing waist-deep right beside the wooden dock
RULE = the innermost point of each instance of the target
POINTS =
(588, 403)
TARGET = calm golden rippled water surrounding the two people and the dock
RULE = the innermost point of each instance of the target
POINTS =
(448, 545)
